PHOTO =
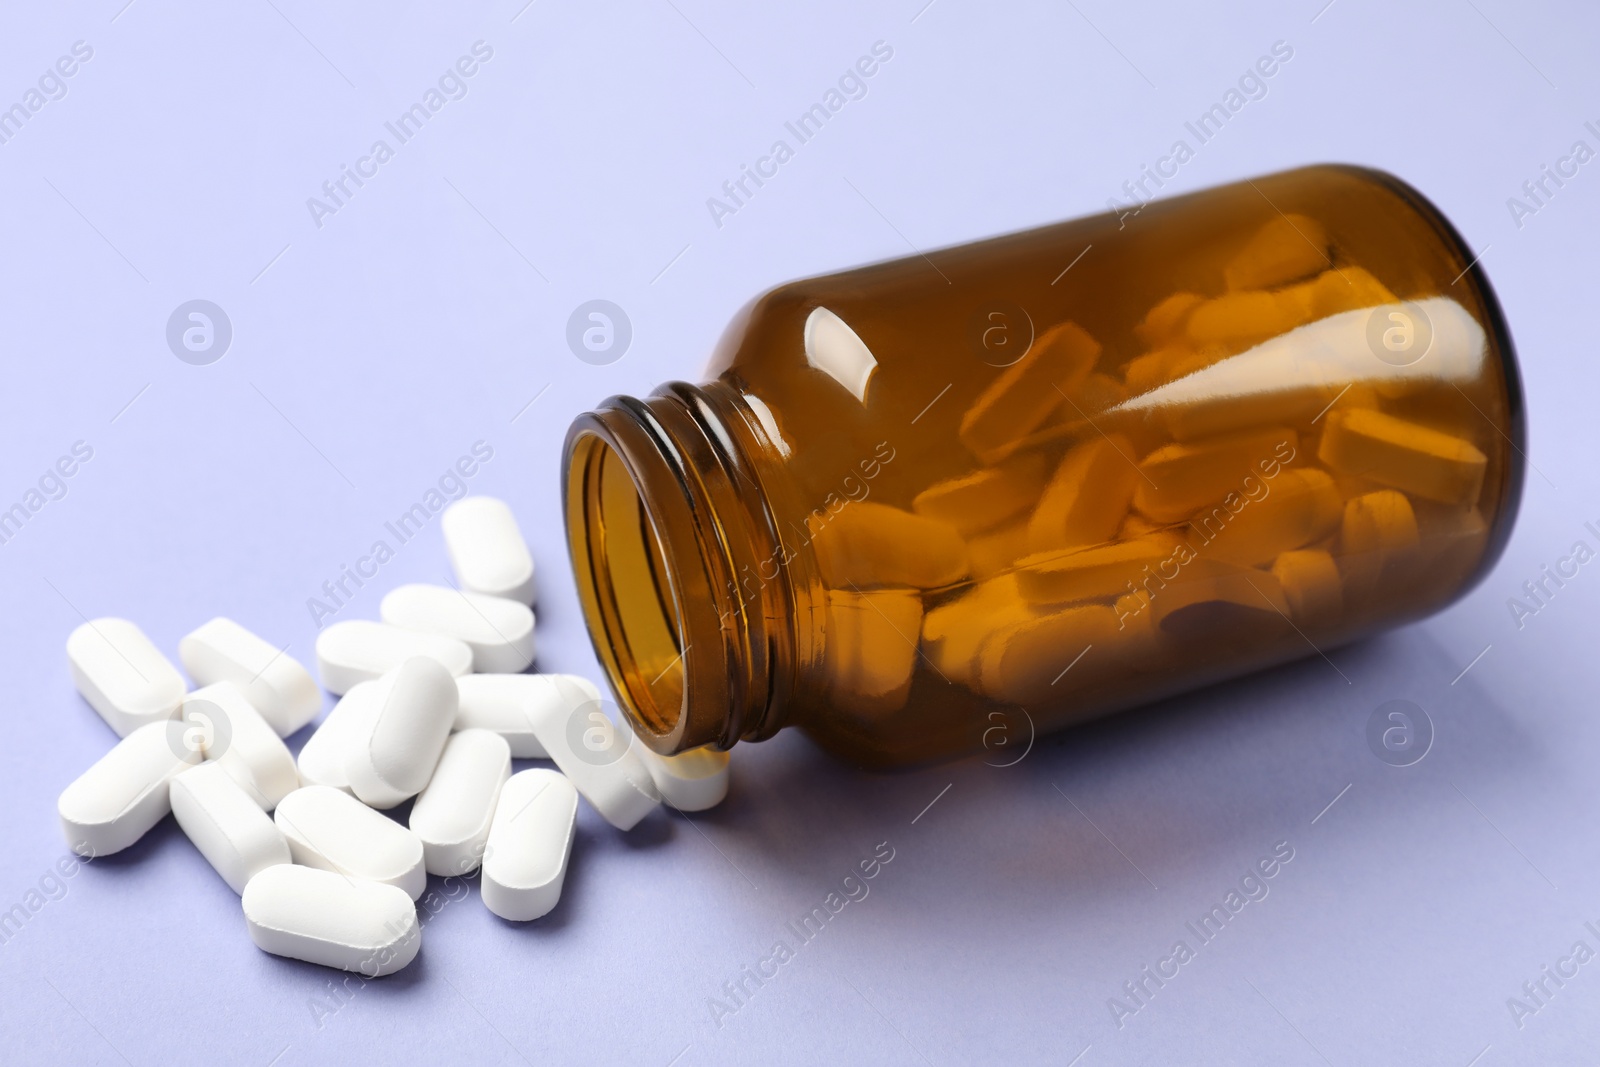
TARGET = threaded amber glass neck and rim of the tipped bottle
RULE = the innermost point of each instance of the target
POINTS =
(687, 588)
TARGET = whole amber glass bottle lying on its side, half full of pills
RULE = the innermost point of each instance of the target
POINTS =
(1054, 474)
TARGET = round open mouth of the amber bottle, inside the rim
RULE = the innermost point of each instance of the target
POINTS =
(626, 586)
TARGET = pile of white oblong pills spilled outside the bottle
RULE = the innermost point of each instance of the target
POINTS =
(433, 706)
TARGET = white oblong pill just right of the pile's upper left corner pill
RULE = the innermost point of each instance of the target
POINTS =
(273, 681)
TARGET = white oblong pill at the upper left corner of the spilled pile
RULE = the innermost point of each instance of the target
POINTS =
(122, 674)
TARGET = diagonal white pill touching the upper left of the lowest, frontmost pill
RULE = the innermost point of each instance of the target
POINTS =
(226, 825)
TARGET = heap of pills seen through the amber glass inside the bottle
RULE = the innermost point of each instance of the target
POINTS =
(1254, 463)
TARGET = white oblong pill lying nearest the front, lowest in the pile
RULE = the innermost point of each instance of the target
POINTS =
(319, 917)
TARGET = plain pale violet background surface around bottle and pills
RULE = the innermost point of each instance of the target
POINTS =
(372, 353)
